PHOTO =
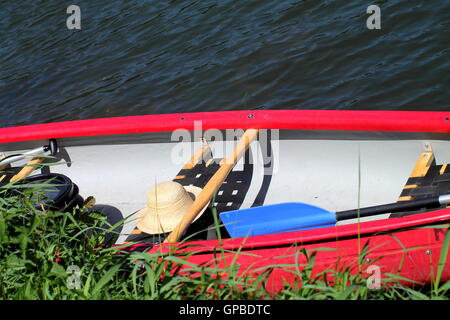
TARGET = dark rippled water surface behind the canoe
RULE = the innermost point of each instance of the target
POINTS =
(149, 57)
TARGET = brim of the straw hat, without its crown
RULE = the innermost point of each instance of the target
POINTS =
(151, 222)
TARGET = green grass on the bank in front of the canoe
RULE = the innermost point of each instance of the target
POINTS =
(53, 255)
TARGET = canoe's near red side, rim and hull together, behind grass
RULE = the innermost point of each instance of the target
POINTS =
(402, 246)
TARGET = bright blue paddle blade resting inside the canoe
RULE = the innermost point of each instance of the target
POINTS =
(276, 218)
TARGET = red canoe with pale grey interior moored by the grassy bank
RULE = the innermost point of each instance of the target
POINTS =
(336, 160)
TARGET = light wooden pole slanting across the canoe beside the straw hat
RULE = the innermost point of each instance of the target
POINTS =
(213, 185)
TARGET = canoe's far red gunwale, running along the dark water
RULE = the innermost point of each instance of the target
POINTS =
(400, 121)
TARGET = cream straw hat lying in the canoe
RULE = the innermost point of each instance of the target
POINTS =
(167, 203)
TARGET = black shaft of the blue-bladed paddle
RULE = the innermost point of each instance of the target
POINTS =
(389, 208)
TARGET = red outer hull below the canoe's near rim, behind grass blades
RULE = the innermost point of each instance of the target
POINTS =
(412, 255)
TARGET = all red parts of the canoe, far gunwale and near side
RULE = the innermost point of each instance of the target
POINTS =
(403, 246)
